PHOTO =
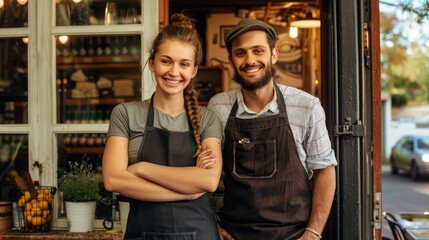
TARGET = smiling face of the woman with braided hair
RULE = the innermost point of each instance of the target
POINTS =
(173, 67)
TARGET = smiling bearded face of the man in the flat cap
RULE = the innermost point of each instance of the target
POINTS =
(252, 60)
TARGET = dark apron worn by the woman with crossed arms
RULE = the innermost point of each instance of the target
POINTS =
(179, 220)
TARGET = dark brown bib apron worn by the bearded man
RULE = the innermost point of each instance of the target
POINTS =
(267, 190)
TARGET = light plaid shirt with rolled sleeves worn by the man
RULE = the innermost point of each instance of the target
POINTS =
(306, 118)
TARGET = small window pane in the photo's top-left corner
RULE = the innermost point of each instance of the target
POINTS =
(13, 13)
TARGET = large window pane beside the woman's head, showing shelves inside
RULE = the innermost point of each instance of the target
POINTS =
(94, 74)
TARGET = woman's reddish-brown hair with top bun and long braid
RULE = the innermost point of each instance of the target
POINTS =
(182, 28)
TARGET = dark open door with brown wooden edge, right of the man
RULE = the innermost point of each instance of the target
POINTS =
(352, 100)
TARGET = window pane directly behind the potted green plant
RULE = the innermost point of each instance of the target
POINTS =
(74, 148)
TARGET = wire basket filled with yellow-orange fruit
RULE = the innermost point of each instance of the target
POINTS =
(35, 214)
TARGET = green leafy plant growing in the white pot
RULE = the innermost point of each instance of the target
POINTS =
(80, 184)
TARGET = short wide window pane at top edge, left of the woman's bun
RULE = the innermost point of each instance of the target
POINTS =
(83, 12)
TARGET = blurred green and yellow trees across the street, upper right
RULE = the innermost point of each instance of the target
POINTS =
(404, 62)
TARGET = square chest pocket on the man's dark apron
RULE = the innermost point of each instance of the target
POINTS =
(255, 159)
